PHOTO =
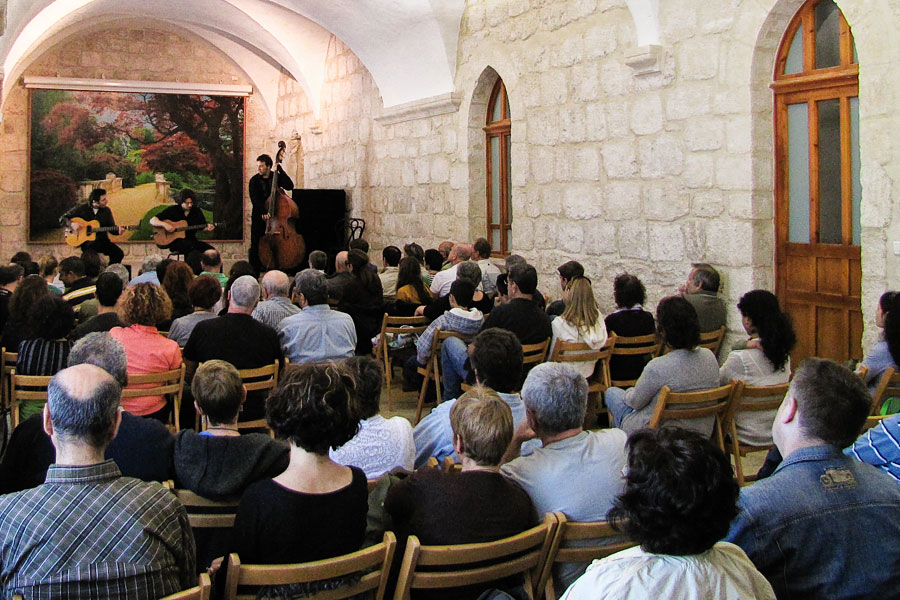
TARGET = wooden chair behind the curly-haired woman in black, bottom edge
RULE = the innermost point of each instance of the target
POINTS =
(374, 562)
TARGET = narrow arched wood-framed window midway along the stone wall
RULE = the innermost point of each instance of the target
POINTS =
(496, 130)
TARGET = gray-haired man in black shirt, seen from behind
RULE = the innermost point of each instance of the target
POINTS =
(238, 338)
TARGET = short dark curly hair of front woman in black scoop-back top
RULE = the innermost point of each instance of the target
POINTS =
(313, 408)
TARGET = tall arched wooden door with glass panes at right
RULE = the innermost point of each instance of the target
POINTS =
(817, 190)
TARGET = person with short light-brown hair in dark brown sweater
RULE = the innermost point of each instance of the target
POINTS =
(474, 505)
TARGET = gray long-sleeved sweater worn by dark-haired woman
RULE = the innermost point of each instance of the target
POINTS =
(682, 371)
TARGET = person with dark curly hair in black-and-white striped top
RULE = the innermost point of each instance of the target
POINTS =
(46, 350)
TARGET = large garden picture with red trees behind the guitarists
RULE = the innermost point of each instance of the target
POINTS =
(143, 149)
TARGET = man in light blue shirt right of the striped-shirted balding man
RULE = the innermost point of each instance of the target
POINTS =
(316, 333)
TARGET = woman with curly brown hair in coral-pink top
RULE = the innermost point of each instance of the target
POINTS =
(142, 307)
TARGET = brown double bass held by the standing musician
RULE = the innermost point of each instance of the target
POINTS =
(281, 247)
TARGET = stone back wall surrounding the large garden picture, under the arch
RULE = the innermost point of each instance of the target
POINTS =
(127, 52)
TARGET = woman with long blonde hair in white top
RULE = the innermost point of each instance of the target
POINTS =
(581, 322)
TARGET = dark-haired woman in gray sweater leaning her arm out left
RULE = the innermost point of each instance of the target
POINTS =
(686, 368)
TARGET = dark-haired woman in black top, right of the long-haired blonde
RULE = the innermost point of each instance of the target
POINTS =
(629, 320)
